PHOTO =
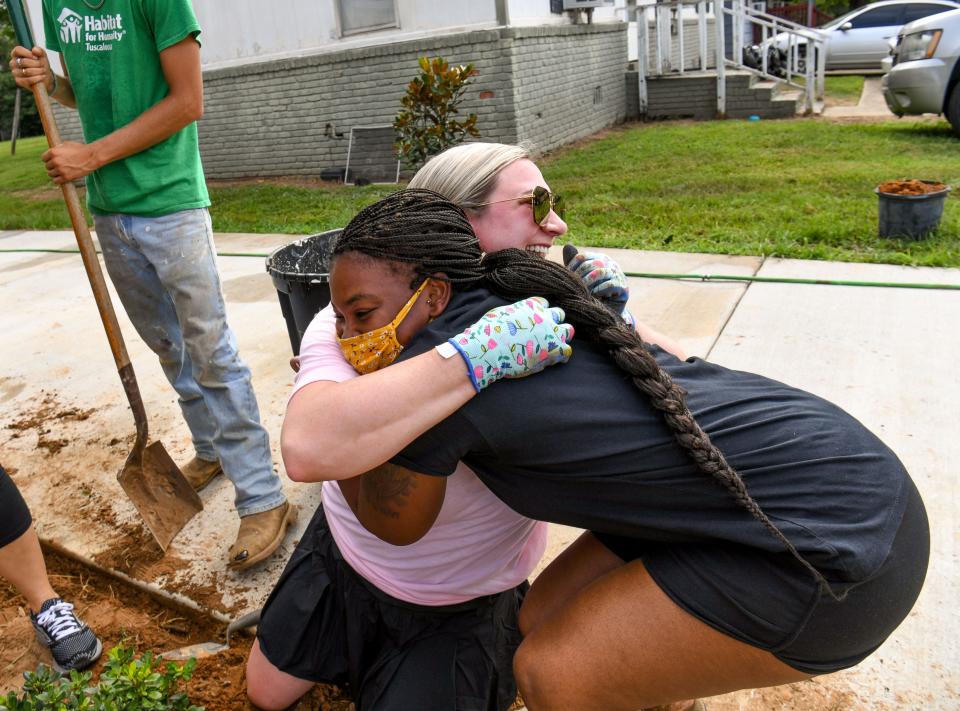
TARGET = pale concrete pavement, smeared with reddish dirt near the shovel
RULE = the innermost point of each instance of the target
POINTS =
(887, 355)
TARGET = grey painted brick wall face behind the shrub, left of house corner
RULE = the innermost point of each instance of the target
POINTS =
(283, 117)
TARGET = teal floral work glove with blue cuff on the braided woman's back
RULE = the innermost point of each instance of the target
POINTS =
(514, 341)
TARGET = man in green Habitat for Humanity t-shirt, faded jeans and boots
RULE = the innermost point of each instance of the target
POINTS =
(132, 71)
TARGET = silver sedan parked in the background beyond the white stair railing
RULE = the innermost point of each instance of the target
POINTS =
(861, 38)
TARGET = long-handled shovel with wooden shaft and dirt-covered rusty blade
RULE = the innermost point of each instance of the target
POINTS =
(155, 485)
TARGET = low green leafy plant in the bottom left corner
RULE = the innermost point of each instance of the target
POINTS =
(125, 683)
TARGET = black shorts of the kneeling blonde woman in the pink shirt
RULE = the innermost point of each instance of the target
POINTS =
(325, 623)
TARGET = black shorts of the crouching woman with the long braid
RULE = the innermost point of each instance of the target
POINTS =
(771, 602)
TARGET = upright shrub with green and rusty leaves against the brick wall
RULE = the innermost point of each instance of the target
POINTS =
(426, 125)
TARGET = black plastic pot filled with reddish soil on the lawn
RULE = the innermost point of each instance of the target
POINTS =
(910, 208)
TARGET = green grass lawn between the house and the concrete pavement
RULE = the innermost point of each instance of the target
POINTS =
(791, 188)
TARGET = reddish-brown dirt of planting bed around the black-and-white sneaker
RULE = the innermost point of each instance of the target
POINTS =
(120, 613)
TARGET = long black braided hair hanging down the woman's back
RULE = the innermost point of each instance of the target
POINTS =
(422, 229)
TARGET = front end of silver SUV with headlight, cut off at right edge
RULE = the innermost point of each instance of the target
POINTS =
(924, 74)
